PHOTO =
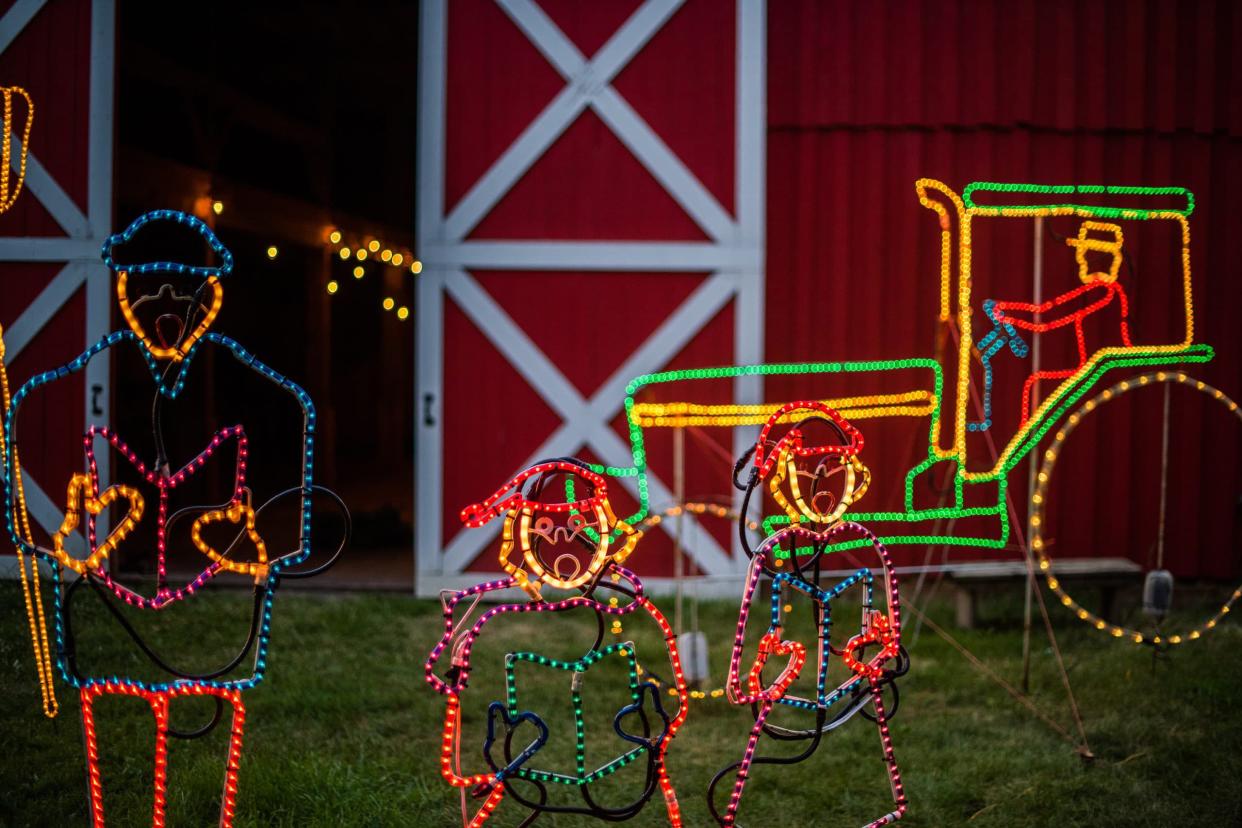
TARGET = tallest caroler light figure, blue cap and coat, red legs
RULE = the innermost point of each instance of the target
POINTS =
(168, 341)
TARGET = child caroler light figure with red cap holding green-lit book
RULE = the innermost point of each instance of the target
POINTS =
(525, 516)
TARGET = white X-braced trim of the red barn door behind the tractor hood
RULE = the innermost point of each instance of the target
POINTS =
(733, 258)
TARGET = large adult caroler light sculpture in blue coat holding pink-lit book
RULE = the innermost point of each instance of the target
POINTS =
(85, 496)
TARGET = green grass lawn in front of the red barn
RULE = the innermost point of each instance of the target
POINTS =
(346, 732)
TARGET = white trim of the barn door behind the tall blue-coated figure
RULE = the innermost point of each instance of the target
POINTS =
(80, 246)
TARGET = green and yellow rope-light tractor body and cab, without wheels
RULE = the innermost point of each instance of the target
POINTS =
(947, 443)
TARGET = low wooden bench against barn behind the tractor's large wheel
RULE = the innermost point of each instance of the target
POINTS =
(1106, 574)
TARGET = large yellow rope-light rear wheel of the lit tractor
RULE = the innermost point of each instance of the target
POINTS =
(1040, 498)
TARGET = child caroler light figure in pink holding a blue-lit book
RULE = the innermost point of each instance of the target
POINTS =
(869, 676)
